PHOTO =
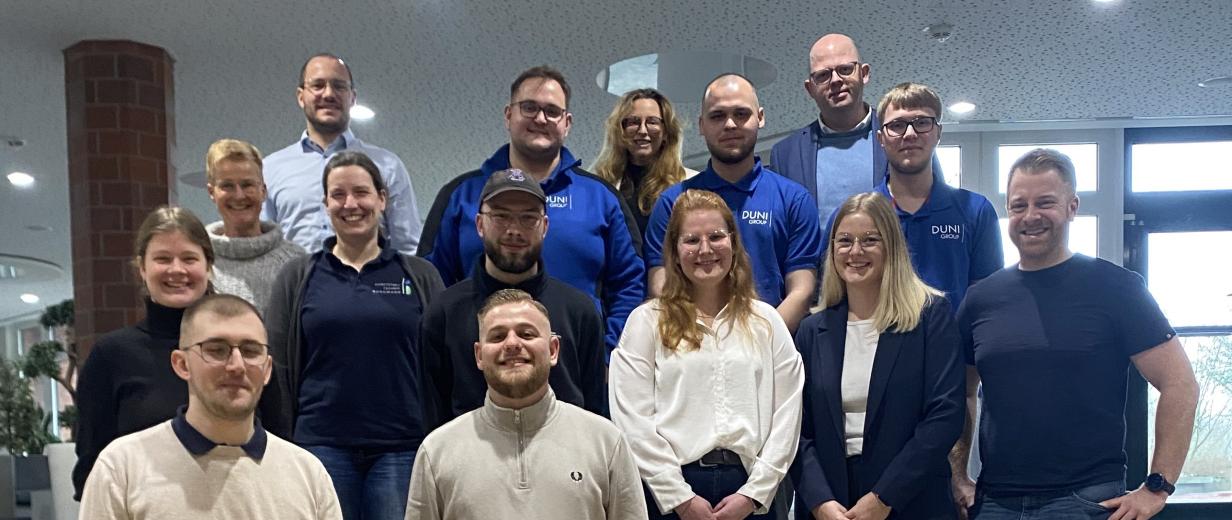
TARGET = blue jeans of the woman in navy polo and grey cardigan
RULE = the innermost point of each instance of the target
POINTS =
(371, 485)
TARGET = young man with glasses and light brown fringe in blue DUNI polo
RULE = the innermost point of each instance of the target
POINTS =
(952, 232)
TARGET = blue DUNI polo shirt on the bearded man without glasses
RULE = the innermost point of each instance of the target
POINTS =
(777, 217)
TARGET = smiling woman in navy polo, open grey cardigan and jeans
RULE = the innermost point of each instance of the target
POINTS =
(344, 335)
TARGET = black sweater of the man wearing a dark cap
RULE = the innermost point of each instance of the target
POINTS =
(453, 383)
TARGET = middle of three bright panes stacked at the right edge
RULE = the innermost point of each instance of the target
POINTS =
(1189, 277)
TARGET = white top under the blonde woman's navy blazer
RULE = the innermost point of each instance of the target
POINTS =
(859, 351)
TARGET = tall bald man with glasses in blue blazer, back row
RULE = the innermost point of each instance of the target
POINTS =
(837, 156)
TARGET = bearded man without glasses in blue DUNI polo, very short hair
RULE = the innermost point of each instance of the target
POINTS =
(778, 220)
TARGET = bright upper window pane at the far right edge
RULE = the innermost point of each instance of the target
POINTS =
(1182, 167)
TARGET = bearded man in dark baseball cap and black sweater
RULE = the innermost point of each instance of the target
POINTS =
(512, 224)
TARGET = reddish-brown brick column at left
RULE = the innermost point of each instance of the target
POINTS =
(121, 132)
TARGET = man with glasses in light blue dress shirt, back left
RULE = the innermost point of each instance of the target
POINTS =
(293, 176)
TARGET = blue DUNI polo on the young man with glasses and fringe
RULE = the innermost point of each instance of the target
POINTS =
(954, 238)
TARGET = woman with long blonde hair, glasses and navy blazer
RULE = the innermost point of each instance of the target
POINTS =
(884, 399)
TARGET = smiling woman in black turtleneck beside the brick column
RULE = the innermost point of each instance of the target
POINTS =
(128, 384)
